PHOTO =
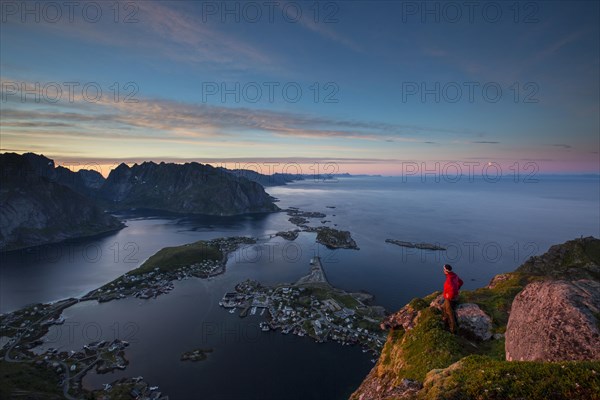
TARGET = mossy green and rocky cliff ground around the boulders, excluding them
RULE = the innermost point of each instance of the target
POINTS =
(427, 362)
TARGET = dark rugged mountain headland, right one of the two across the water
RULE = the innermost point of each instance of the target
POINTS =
(185, 188)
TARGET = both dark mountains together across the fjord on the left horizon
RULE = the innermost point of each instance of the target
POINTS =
(41, 203)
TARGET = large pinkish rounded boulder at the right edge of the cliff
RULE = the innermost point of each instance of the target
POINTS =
(555, 321)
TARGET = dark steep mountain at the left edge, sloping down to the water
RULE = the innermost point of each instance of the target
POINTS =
(36, 210)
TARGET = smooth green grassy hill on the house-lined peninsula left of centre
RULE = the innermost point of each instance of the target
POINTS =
(171, 258)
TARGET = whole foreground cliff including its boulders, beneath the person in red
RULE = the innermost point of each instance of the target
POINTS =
(548, 309)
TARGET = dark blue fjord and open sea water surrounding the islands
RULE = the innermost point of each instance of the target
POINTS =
(488, 228)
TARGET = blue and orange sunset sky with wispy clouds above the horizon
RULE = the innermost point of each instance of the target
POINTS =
(363, 86)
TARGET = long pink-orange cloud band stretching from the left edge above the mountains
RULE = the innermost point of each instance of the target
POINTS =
(161, 119)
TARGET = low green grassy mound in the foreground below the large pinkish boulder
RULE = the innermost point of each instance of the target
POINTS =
(478, 377)
